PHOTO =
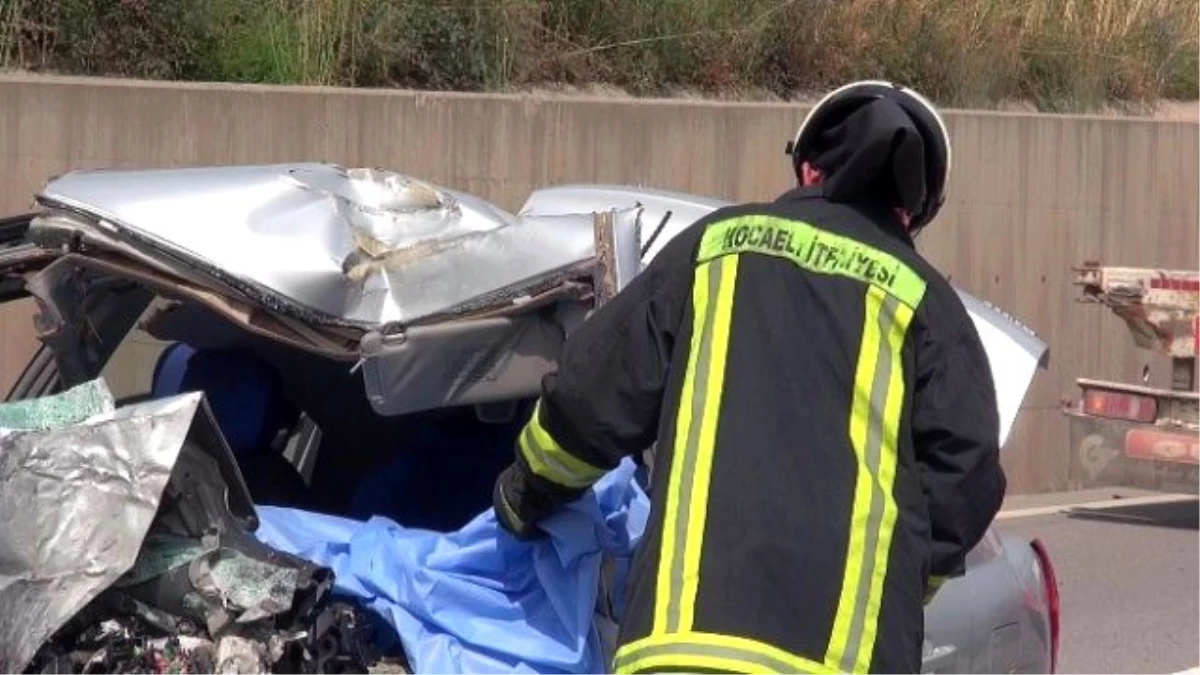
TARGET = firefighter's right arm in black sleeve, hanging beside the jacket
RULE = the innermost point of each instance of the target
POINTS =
(957, 437)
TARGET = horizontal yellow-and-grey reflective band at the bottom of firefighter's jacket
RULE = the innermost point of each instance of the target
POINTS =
(713, 652)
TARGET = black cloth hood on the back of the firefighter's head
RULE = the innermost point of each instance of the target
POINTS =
(873, 156)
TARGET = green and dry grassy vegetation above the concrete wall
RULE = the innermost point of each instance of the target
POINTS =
(1060, 55)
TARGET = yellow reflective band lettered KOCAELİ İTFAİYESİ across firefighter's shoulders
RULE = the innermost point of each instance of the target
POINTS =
(814, 250)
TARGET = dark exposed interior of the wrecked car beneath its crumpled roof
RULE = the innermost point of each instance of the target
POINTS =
(430, 470)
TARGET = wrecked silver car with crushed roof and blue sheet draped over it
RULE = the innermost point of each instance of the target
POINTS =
(269, 407)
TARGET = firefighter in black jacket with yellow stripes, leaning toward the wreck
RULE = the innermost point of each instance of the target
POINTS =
(824, 413)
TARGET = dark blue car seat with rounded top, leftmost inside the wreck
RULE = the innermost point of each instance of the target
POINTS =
(250, 408)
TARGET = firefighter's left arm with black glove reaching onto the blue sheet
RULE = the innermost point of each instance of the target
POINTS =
(602, 405)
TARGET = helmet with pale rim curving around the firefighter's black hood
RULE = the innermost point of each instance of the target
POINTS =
(838, 105)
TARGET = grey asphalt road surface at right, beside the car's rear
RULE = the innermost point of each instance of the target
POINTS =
(1130, 580)
